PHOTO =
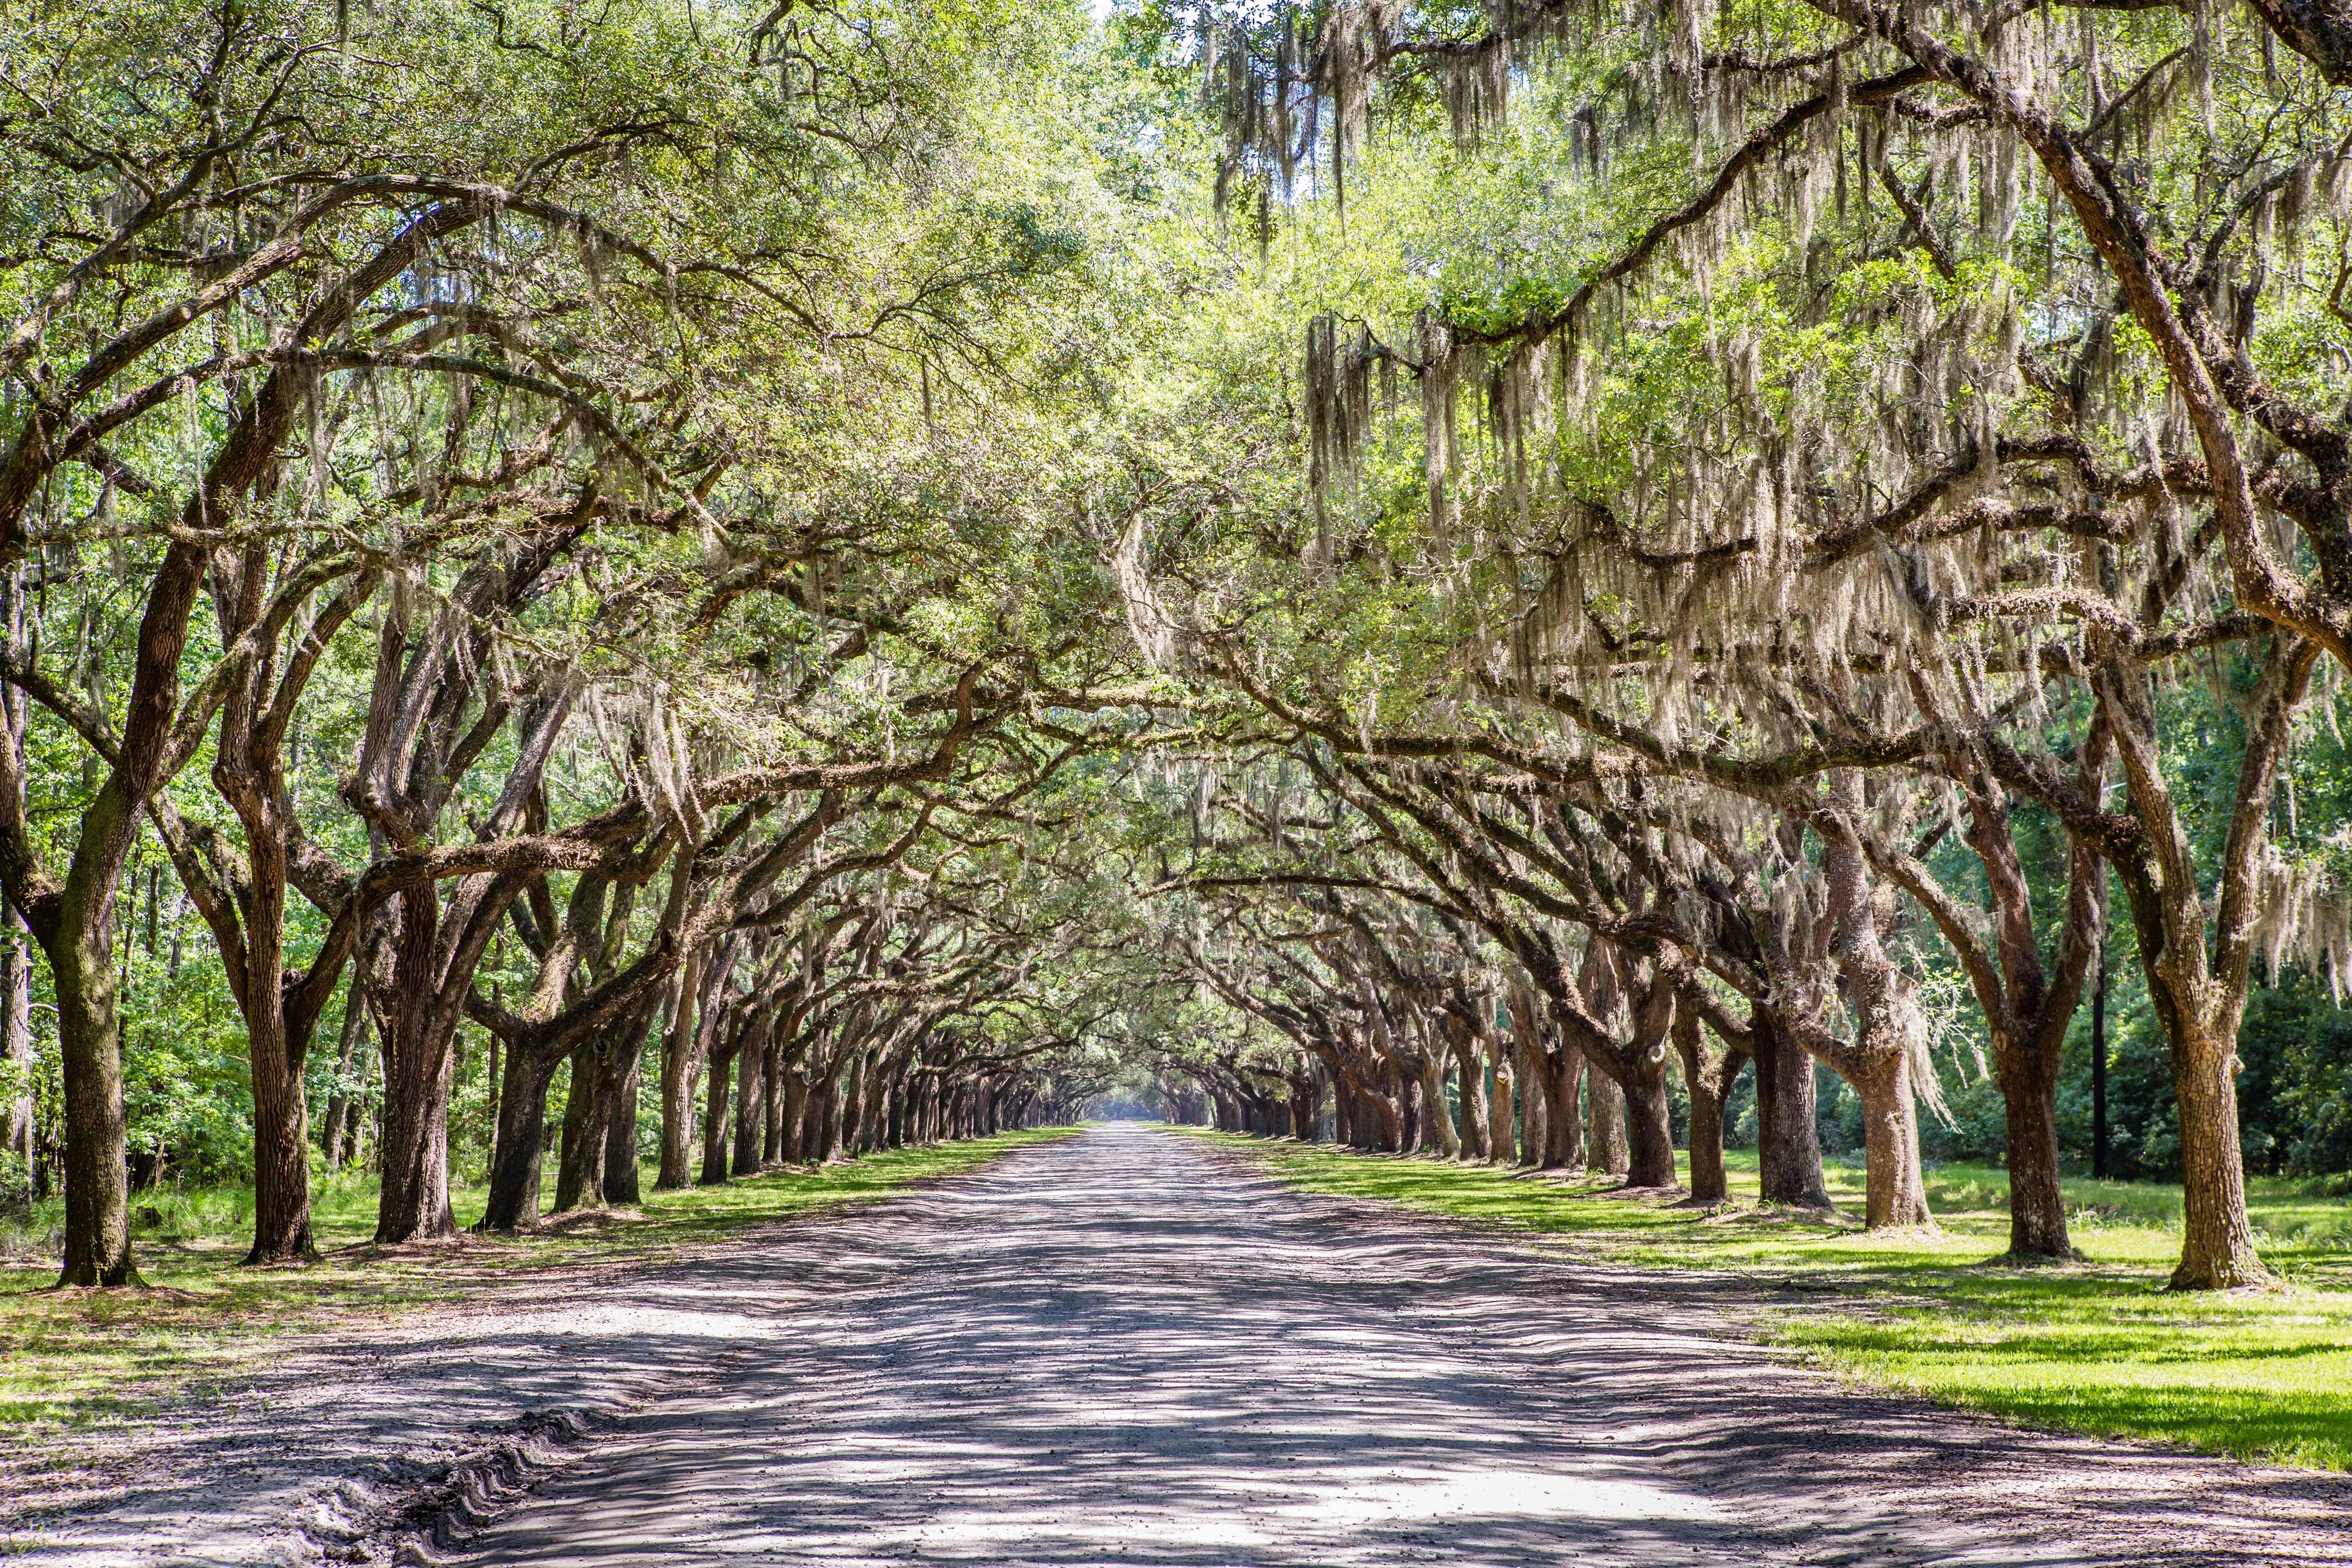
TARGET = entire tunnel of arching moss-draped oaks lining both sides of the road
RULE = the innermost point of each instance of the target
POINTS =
(871, 561)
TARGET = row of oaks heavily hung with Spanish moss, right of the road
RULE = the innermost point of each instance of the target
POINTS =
(1772, 469)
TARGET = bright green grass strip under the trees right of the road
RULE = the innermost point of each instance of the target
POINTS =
(2094, 1348)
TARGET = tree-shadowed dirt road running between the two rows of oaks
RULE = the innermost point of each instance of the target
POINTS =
(1128, 1348)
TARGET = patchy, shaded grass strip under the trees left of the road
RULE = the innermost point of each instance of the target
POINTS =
(74, 1360)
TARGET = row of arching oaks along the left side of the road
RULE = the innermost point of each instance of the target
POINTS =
(516, 507)
